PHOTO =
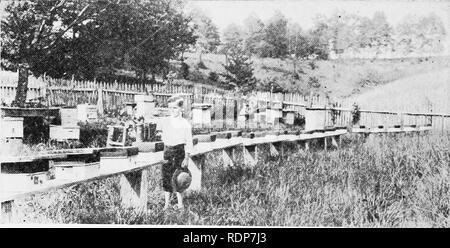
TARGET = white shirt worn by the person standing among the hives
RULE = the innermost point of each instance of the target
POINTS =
(175, 131)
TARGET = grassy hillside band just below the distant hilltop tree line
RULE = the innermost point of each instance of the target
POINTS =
(338, 78)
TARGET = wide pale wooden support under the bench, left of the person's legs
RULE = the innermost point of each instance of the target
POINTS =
(133, 189)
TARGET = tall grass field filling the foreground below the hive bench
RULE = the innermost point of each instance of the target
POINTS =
(385, 181)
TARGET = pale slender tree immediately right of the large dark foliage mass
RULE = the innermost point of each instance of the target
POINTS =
(207, 33)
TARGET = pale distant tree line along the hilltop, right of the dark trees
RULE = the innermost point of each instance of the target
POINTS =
(279, 37)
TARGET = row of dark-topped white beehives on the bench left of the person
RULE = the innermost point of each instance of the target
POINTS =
(28, 173)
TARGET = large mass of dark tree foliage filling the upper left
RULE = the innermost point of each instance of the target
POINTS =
(86, 38)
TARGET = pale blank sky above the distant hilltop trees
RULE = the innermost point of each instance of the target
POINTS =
(303, 11)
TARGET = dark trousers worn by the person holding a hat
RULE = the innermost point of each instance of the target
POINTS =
(174, 156)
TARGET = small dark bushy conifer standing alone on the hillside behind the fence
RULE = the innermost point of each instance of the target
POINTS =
(239, 71)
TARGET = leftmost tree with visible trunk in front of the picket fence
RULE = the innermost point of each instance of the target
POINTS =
(37, 31)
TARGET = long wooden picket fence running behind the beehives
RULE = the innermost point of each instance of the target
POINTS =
(226, 105)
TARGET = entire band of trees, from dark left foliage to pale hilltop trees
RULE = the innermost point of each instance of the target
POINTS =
(93, 38)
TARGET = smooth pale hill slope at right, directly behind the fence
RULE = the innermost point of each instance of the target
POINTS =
(413, 93)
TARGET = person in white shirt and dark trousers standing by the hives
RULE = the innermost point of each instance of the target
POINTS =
(177, 138)
